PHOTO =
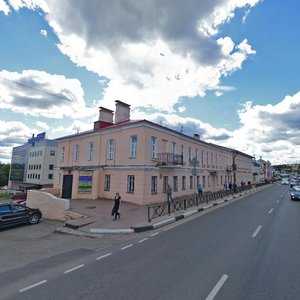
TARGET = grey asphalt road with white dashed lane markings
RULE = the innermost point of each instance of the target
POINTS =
(248, 249)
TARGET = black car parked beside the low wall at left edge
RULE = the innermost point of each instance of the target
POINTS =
(13, 214)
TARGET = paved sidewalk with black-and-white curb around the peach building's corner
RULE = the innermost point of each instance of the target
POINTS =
(97, 217)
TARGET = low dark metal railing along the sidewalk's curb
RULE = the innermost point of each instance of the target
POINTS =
(184, 202)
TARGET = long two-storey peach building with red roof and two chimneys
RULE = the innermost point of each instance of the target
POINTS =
(139, 159)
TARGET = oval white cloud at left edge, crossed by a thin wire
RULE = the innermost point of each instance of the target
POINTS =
(38, 94)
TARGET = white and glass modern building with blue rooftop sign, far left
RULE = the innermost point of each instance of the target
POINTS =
(32, 164)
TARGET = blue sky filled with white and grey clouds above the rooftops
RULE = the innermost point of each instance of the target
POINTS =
(227, 70)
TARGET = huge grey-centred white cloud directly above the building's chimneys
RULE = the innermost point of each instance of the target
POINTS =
(151, 51)
